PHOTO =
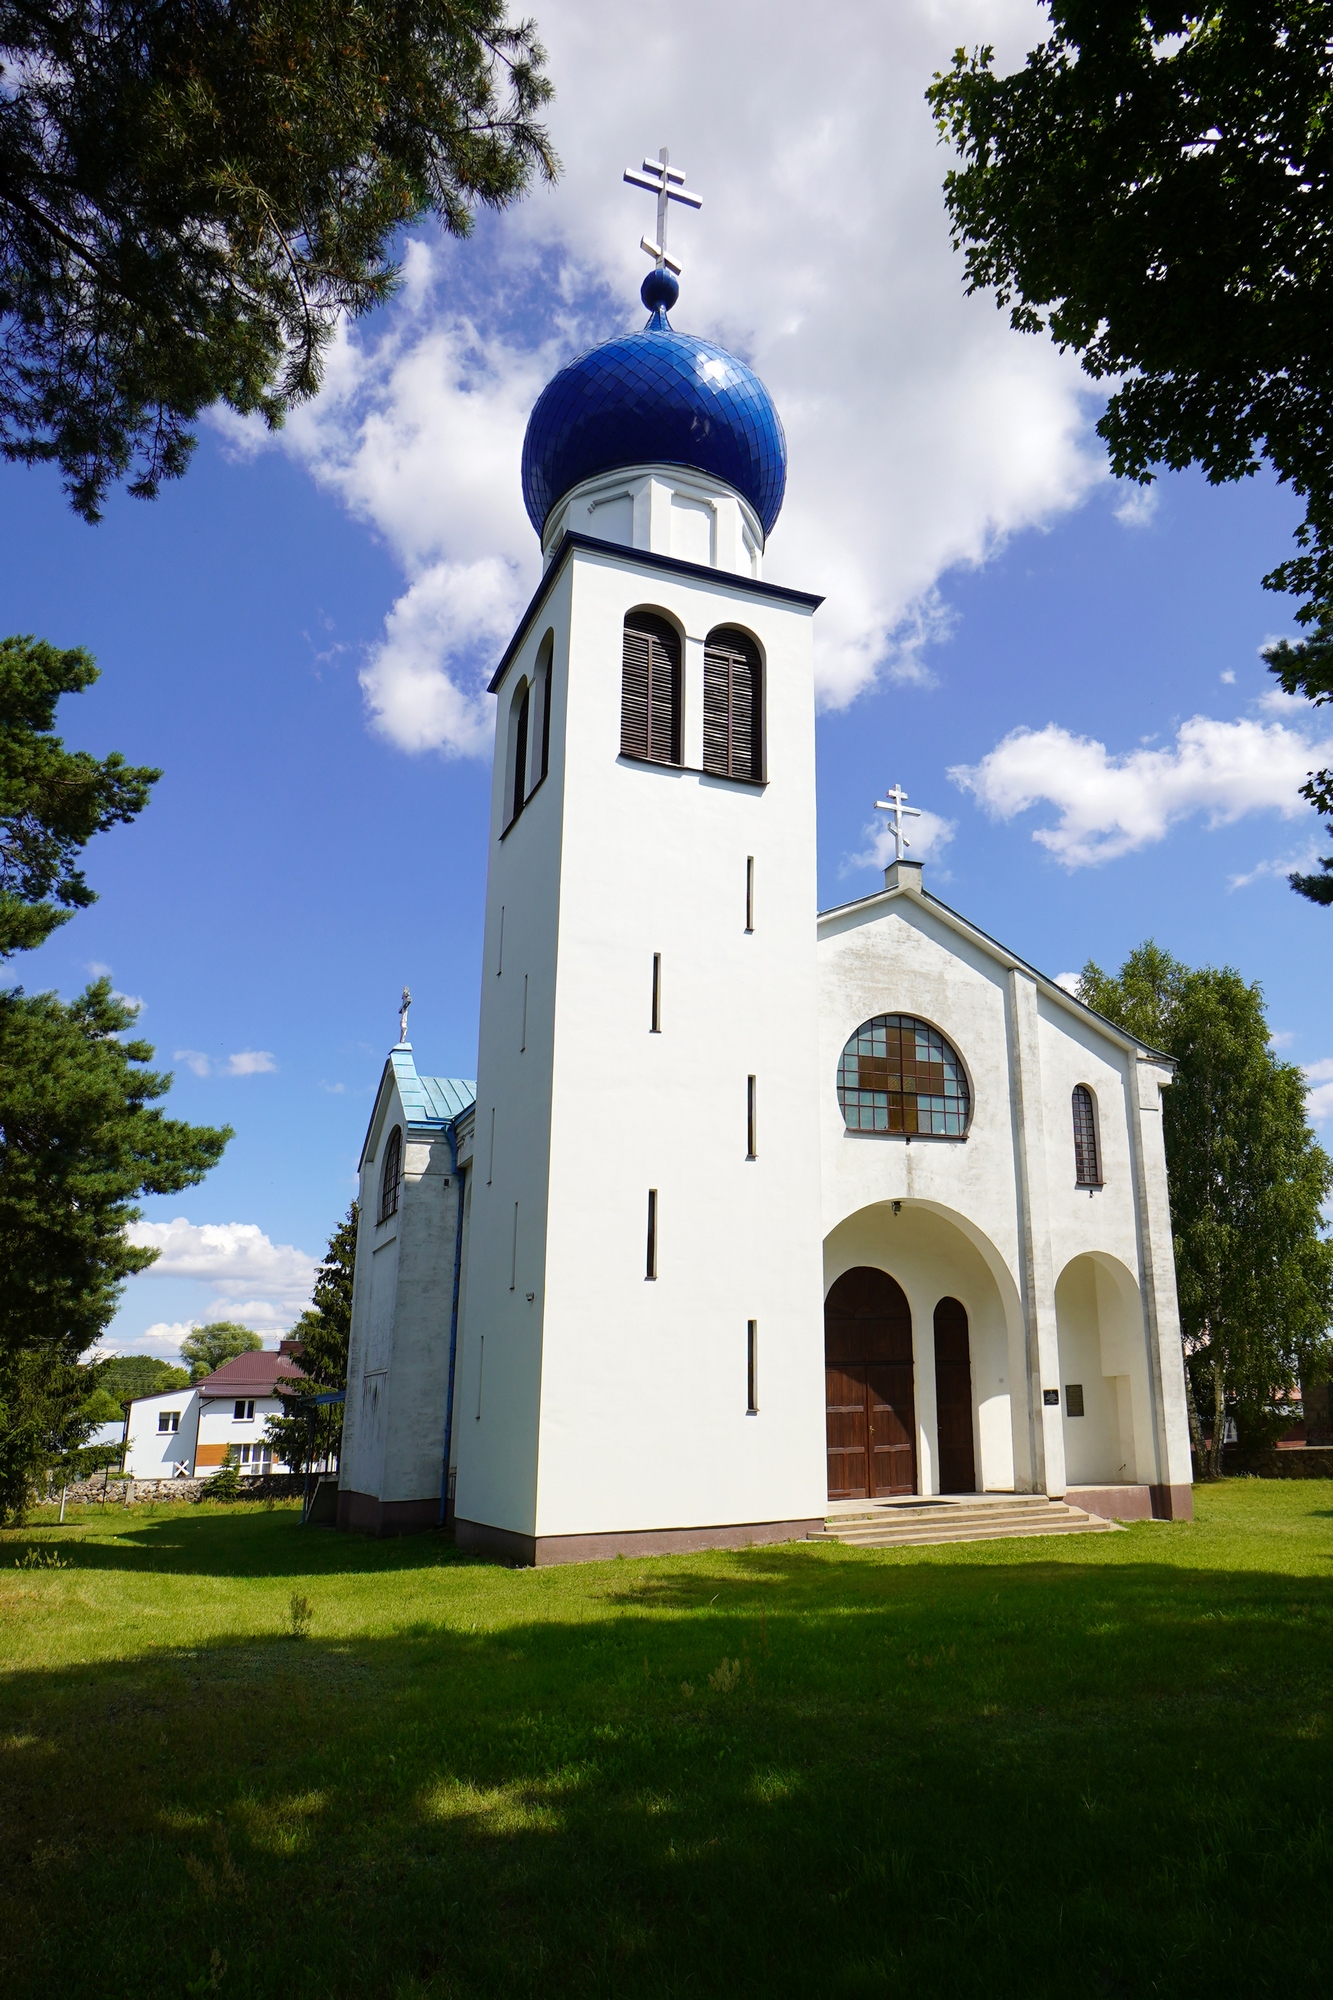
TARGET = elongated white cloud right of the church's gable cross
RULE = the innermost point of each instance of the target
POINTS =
(1116, 805)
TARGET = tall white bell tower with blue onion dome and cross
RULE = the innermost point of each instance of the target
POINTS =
(643, 1333)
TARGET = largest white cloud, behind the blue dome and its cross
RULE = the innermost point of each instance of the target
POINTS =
(922, 429)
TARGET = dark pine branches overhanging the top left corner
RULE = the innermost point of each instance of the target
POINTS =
(193, 195)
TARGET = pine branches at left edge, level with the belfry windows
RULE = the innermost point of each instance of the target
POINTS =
(53, 801)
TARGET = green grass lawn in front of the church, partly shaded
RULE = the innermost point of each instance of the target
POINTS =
(1090, 1767)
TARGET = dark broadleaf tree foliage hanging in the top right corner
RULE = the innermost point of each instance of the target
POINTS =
(1156, 187)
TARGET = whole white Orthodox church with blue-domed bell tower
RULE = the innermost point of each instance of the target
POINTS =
(750, 1213)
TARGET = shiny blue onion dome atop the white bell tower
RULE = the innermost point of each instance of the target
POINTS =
(655, 397)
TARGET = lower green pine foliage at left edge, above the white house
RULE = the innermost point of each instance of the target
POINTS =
(81, 1139)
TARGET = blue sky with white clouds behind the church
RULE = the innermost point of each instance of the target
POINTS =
(285, 621)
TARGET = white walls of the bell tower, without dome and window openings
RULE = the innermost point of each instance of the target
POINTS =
(613, 1403)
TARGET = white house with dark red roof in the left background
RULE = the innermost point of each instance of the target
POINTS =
(187, 1433)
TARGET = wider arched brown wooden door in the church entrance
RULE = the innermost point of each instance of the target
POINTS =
(870, 1403)
